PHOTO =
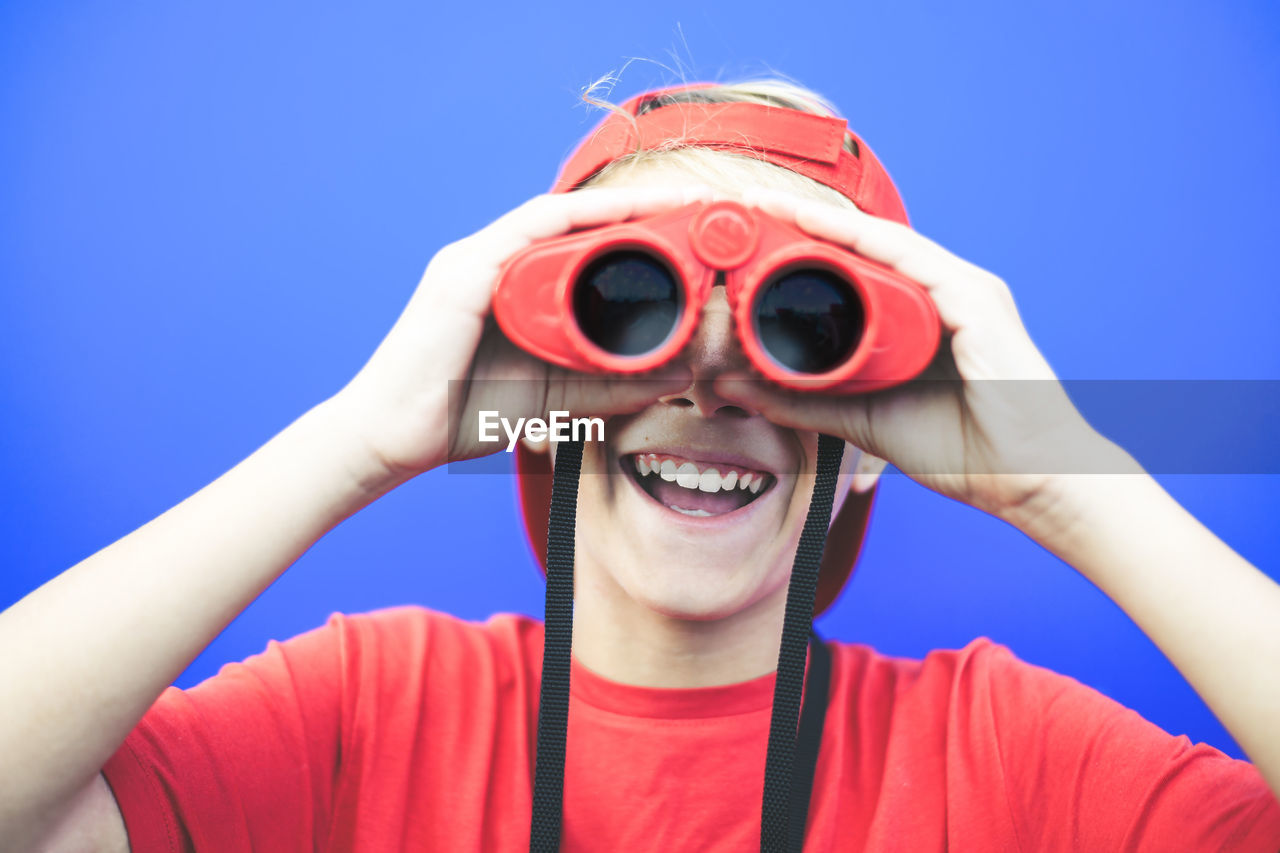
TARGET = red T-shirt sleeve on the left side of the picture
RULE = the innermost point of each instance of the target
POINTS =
(245, 761)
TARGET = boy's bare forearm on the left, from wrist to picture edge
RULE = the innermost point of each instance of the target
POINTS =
(90, 651)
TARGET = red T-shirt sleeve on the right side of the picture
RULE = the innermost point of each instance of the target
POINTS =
(1086, 773)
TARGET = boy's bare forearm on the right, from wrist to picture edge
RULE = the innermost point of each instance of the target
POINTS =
(1210, 612)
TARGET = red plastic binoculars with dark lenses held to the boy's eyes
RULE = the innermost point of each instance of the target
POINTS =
(627, 299)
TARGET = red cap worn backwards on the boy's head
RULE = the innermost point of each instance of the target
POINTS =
(803, 143)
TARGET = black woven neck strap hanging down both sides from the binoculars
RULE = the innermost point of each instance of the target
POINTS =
(796, 736)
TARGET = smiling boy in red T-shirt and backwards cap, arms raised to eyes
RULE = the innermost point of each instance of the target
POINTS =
(408, 729)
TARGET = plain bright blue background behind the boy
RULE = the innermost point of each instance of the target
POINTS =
(212, 215)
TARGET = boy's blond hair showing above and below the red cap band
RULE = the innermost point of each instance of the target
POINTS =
(723, 170)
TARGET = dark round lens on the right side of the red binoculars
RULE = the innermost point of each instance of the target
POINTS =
(810, 321)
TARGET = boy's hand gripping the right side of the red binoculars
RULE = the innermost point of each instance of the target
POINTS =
(998, 426)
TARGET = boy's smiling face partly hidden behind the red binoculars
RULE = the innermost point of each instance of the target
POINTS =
(701, 548)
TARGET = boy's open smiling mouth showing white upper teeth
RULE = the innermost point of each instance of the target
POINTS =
(701, 490)
